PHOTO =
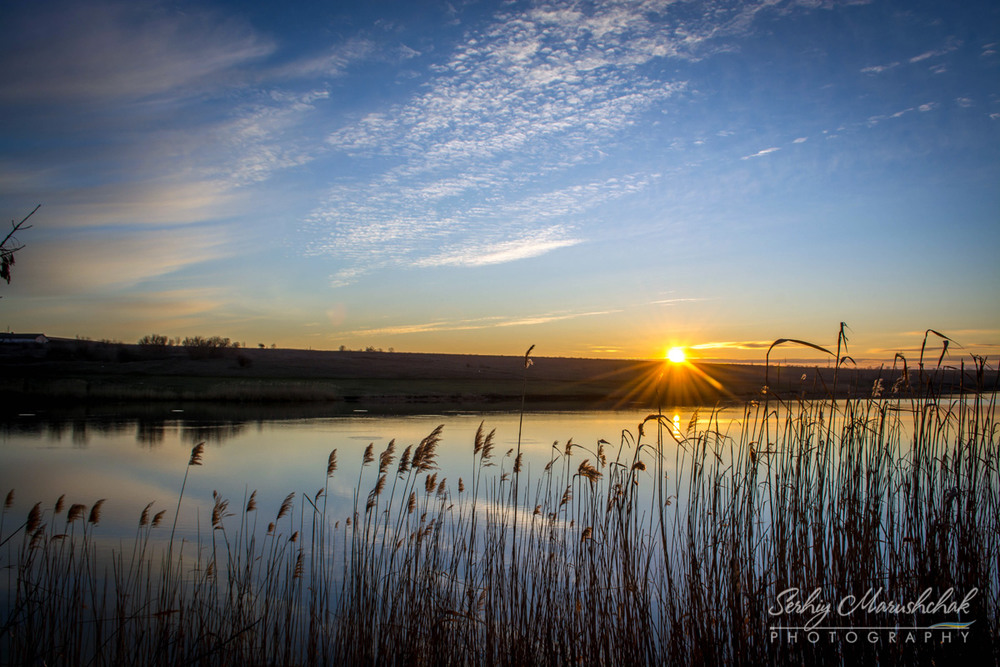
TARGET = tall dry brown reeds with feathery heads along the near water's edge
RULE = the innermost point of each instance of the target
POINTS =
(666, 547)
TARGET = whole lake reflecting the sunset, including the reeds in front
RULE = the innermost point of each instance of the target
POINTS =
(625, 547)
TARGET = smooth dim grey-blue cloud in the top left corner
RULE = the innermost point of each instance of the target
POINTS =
(123, 51)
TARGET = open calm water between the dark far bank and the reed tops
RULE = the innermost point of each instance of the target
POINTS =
(134, 461)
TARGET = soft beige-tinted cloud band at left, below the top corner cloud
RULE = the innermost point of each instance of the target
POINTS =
(170, 176)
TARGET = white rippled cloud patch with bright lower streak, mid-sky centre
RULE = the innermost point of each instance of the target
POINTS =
(429, 228)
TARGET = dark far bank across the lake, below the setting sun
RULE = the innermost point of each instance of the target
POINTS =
(70, 372)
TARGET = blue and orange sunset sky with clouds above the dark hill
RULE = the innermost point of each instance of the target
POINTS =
(604, 179)
